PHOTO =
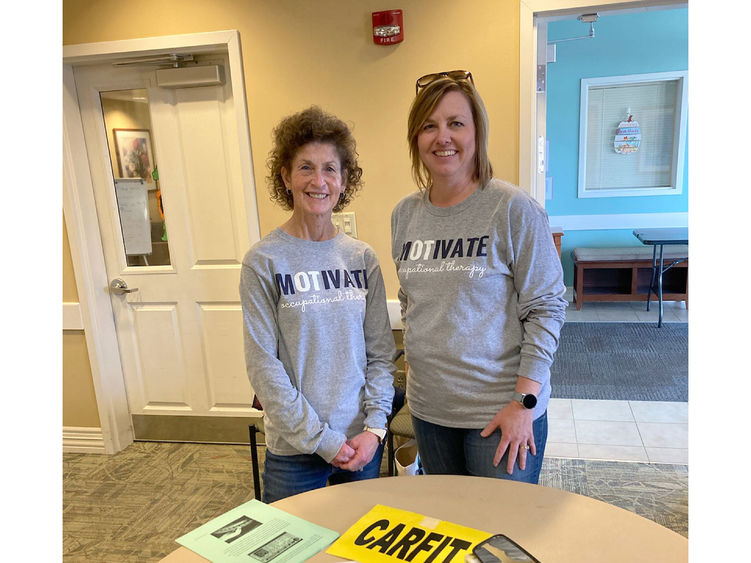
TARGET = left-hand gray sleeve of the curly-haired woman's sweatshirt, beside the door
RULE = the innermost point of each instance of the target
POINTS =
(291, 413)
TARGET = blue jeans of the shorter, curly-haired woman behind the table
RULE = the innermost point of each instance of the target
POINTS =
(287, 475)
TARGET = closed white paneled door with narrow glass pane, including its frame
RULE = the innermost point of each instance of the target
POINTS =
(160, 202)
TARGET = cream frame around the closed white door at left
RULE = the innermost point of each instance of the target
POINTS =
(81, 220)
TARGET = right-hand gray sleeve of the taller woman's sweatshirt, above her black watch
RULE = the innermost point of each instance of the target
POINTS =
(538, 279)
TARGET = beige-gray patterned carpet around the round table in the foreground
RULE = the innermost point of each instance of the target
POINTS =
(132, 505)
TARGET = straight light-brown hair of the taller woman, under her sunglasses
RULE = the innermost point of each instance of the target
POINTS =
(423, 105)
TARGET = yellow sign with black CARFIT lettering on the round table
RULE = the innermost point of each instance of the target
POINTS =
(390, 535)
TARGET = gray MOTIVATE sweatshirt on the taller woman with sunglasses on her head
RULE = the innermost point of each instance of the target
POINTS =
(482, 302)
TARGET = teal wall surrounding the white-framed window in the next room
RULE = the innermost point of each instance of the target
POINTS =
(655, 41)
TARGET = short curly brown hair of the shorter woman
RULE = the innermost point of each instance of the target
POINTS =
(312, 125)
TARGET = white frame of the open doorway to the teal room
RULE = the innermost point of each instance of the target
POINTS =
(532, 117)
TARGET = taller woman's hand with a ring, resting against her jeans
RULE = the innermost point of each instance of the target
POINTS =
(517, 436)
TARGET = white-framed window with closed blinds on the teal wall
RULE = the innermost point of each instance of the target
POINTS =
(657, 103)
